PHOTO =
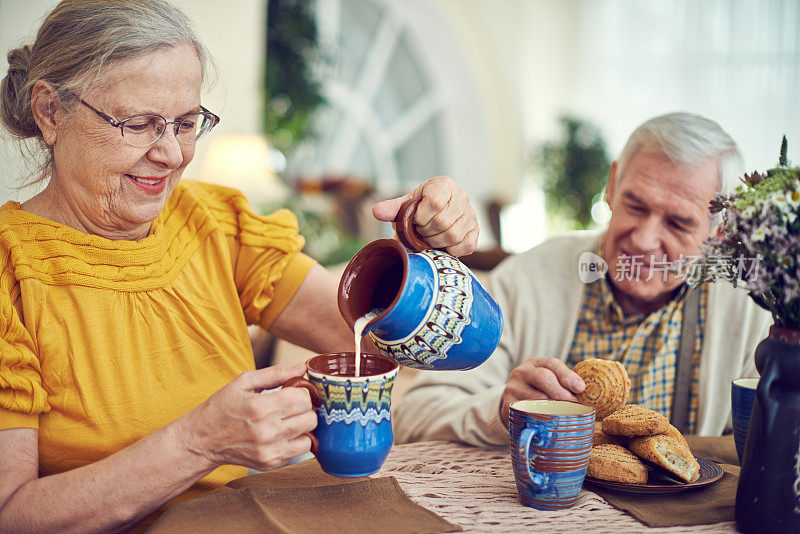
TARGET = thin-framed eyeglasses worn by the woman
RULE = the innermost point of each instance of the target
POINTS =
(147, 128)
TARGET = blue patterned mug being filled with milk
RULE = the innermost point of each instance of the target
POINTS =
(354, 419)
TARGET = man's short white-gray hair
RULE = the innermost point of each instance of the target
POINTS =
(688, 139)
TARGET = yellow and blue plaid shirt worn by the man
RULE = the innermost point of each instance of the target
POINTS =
(646, 344)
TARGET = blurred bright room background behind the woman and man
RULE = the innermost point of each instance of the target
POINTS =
(491, 93)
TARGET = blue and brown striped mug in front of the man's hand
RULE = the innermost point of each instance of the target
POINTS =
(550, 445)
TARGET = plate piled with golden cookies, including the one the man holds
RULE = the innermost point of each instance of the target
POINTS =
(636, 450)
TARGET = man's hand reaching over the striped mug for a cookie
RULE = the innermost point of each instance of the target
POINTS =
(540, 378)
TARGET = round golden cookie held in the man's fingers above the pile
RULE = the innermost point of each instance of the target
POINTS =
(607, 385)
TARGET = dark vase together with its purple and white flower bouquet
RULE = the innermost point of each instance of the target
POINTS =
(757, 245)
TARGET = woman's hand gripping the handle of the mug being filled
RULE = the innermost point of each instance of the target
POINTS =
(240, 425)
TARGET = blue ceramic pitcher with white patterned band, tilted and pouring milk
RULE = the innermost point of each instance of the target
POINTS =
(434, 313)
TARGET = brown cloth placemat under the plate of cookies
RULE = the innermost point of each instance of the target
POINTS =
(702, 506)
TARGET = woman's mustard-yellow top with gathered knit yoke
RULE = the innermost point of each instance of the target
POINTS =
(105, 341)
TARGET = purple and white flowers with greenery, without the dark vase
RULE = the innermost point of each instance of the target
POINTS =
(757, 243)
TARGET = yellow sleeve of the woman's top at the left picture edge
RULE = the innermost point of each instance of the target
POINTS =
(22, 397)
